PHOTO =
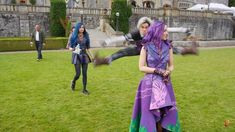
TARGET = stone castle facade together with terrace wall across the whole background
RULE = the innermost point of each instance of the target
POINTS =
(19, 20)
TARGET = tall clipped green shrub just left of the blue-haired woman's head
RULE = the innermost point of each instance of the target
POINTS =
(57, 12)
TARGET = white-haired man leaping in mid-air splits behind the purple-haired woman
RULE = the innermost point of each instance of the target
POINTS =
(136, 36)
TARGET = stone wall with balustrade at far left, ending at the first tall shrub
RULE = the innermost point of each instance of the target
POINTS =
(19, 19)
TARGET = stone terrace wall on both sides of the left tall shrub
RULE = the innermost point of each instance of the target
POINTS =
(19, 20)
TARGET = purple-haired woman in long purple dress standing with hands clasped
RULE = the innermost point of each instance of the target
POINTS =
(155, 105)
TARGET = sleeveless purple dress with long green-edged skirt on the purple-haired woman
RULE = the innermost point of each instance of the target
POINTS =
(155, 99)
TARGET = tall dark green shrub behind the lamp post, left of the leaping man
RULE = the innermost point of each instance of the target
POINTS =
(124, 14)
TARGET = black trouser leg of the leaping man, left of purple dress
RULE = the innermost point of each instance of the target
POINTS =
(129, 51)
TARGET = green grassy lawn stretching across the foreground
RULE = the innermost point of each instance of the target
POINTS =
(36, 96)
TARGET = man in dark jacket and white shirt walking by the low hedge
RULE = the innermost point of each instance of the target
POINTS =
(39, 40)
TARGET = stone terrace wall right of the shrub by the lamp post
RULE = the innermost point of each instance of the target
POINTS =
(208, 26)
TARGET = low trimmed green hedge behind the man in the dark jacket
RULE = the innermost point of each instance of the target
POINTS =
(22, 44)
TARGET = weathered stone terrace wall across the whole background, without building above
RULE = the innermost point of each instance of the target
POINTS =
(19, 21)
